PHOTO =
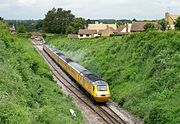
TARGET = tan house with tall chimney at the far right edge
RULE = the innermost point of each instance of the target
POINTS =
(171, 19)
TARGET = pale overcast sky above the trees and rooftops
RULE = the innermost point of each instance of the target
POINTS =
(93, 9)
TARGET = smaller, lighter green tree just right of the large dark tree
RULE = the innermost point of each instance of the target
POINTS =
(75, 25)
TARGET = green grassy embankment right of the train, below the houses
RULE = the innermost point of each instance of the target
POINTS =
(143, 70)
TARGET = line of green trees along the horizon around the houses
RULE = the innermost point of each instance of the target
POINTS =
(61, 21)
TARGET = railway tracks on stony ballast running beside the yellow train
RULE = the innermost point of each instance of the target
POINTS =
(103, 111)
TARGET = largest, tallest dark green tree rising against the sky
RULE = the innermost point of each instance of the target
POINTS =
(57, 20)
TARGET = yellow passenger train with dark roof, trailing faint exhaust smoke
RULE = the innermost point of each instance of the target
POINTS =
(97, 88)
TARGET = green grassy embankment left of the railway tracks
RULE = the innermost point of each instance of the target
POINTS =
(28, 93)
